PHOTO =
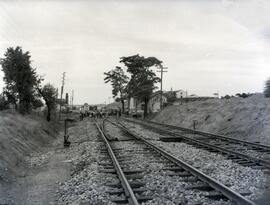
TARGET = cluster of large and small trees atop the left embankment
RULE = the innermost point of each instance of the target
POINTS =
(23, 86)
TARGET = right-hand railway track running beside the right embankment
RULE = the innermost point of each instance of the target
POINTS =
(242, 152)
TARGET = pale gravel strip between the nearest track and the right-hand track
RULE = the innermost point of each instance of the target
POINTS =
(235, 176)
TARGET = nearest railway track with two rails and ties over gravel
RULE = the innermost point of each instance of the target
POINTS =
(135, 159)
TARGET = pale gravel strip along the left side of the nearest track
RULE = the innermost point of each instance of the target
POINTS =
(87, 184)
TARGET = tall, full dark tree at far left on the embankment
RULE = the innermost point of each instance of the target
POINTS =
(20, 78)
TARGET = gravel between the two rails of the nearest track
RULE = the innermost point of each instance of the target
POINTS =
(162, 187)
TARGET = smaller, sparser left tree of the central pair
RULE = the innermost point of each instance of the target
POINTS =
(118, 80)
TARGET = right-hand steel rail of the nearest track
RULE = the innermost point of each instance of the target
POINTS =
(226, 191)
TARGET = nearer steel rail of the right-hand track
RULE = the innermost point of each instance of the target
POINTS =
(262, 162)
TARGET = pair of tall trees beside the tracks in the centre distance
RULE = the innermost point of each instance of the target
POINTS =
(141, 82)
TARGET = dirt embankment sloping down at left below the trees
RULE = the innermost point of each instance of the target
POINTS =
(19, 136)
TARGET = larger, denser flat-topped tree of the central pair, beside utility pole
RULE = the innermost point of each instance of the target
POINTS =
(143, 79)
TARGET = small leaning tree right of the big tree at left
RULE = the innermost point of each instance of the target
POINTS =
(49, 94)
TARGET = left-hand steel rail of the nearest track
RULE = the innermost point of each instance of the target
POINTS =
(128, 191)
